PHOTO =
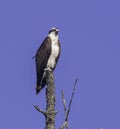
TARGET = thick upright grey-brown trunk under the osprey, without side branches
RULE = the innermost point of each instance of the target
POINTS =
(50, 99)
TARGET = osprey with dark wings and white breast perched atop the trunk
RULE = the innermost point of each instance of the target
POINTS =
(47, 57)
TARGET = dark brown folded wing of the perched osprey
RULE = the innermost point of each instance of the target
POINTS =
(41, 58)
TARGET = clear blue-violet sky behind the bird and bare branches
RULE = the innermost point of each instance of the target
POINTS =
(90, 38)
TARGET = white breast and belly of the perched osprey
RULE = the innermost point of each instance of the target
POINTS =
(54, 53)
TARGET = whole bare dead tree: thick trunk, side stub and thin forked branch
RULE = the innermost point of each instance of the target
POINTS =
(50, 112)
